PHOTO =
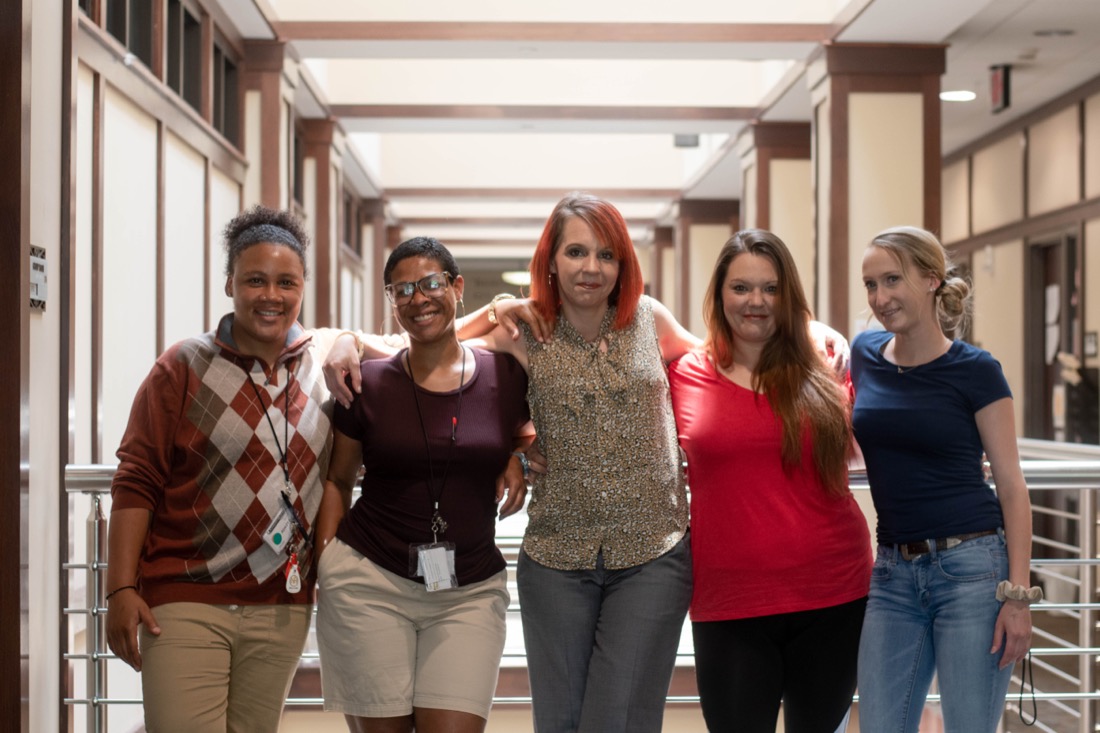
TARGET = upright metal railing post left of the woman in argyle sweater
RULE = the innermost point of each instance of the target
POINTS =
(97, 622)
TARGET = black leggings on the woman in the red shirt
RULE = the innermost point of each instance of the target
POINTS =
(806, 660)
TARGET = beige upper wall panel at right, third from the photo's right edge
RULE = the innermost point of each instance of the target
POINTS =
(998, 184)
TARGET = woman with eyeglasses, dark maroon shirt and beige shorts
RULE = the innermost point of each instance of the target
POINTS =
(412, 586)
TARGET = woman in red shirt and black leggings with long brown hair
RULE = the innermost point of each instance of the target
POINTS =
(782, 552)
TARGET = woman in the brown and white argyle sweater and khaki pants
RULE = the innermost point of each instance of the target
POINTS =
(210, 583)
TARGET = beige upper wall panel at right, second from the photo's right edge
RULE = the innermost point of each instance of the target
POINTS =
(1053, 151)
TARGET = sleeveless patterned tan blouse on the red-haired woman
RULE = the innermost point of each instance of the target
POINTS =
(604, 422)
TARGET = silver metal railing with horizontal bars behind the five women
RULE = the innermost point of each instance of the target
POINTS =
(1063, 483)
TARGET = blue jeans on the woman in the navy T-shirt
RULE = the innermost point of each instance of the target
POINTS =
(934, 614)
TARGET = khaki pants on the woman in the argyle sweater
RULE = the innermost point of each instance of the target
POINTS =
(221, 669)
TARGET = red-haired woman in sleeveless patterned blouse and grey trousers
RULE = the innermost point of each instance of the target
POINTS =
(604, 575)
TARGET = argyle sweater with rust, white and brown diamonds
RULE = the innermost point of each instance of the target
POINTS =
(201, 455)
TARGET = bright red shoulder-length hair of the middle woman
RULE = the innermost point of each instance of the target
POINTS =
(610, 228)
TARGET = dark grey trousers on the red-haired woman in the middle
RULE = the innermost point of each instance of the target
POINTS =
(602, 644)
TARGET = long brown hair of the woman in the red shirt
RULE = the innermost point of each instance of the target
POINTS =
(802, 391)
